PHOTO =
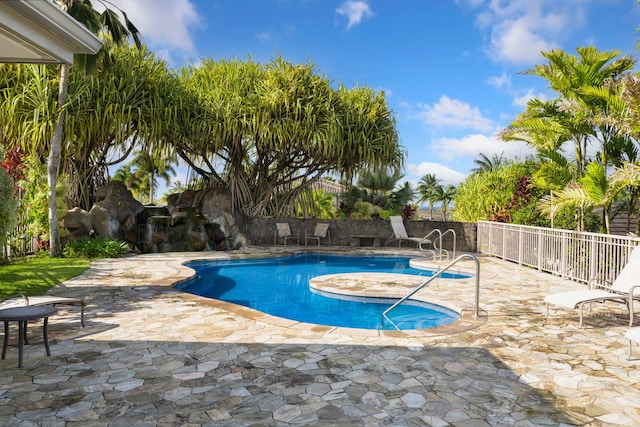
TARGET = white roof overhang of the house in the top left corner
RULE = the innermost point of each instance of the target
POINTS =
(40, 32)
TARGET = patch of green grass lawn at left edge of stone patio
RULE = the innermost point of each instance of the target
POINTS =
(34, 276)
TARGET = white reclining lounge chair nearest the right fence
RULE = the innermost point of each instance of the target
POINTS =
(623, 290)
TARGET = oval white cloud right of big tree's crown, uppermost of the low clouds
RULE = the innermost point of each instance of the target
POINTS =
(454, 113)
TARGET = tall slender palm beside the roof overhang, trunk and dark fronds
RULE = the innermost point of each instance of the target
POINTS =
(109, 22)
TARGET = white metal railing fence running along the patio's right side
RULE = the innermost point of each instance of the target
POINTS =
(569, 254)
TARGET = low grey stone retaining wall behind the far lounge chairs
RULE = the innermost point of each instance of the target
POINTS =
(260, 231)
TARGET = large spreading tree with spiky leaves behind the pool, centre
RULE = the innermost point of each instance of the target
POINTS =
(269, 132)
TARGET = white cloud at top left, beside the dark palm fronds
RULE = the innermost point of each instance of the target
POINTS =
(163, 23)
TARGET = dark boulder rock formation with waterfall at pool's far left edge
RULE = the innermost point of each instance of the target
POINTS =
(192, 221)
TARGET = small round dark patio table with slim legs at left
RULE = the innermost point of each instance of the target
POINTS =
(22, 315)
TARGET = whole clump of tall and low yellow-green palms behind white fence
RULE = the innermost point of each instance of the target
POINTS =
(596, 106)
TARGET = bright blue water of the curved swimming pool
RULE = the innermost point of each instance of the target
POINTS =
(280, 287)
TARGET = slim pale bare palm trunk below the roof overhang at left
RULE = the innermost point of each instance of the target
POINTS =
(54, 160)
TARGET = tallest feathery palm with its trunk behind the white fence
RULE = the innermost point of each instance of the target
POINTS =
(590, 108)
